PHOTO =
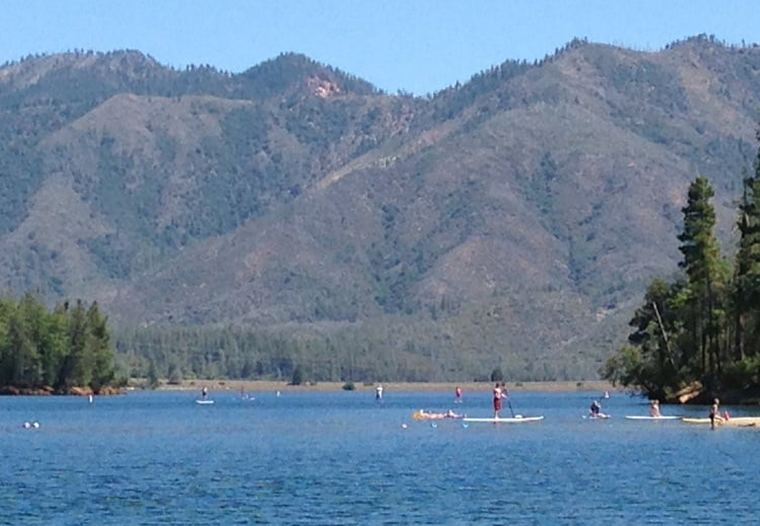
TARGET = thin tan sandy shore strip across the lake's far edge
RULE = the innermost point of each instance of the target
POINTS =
(260, 385)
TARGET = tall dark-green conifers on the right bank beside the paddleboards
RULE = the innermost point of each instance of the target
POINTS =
(699, 334)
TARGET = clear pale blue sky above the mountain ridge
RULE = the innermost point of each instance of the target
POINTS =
(418, 46)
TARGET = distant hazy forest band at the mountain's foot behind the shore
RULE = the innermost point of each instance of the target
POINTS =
(380, 350)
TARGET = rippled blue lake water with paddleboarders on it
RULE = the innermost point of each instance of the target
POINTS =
(340, 458)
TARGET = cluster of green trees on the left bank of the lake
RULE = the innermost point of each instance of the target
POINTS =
(54, 350)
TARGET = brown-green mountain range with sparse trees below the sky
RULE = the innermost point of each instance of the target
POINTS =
(512, 220)
